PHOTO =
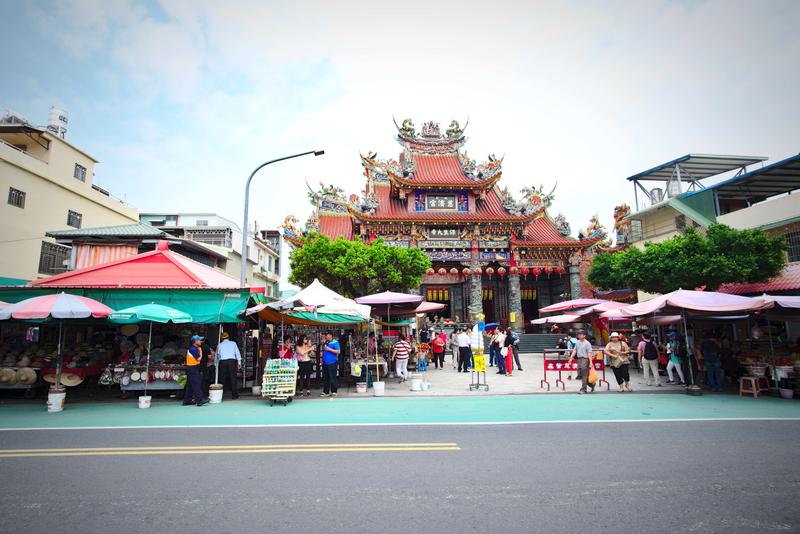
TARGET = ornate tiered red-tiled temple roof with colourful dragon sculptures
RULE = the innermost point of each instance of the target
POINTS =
(433, 168)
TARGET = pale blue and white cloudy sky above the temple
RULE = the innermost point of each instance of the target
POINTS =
(180, 100)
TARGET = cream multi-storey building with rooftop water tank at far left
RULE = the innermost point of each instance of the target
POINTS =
(49, 185)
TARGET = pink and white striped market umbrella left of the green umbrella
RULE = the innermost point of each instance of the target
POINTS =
(57, 306)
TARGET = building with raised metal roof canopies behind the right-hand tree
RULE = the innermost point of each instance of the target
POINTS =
(766, 197)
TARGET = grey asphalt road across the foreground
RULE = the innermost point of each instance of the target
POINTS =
(609, 477)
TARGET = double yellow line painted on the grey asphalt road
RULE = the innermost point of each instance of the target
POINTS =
(227, 451)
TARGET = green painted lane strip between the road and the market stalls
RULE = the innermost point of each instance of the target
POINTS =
(403, 410)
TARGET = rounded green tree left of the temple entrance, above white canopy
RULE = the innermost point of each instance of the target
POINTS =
(355, 268)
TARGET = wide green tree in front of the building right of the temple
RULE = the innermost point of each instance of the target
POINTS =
(691, 260)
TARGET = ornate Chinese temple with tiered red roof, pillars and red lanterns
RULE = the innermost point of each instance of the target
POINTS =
(491, 253)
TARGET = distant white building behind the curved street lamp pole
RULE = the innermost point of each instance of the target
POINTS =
(223, 236)
